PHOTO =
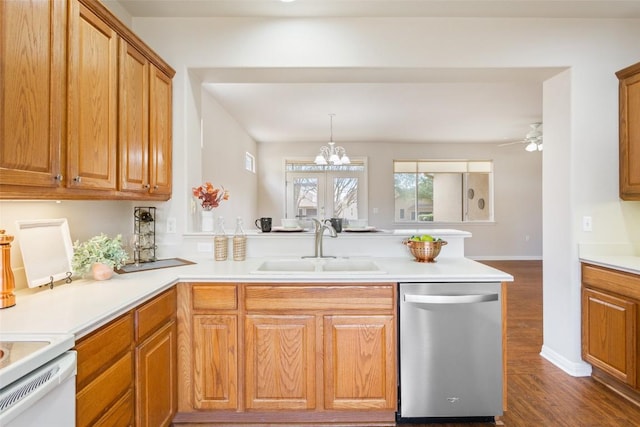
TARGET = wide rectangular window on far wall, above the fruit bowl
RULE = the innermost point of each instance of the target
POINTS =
(443, 190)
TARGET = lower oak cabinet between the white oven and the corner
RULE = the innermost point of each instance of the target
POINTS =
(127, 369)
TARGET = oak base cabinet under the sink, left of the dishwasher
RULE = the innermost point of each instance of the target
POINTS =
(299, 352)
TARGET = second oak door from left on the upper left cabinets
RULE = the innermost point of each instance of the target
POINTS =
(92, 109)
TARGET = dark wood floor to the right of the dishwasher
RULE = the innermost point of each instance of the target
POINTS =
(539, 393)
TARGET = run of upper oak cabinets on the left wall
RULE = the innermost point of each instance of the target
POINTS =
(86, 106)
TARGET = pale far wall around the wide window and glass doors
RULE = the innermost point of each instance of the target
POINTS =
(518, 190)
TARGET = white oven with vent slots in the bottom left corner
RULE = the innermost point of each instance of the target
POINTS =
(37, 381)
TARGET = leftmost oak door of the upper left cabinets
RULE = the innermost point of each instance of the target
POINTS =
(32, 92)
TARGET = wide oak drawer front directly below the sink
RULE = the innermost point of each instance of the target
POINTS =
(321, 297)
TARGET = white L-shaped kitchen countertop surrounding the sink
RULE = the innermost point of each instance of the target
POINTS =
(82, 306)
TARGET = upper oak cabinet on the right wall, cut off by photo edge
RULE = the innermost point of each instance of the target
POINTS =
(630, 132)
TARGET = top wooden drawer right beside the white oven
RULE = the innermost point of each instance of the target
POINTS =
(99, 350)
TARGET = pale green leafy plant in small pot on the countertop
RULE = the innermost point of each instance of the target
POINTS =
(98, 249)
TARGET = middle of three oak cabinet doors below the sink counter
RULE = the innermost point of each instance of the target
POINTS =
(280, 362)
